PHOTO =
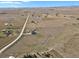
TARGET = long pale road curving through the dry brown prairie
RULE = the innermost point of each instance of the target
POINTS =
(21, 33)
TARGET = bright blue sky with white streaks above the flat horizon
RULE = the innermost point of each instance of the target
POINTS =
(25, 3)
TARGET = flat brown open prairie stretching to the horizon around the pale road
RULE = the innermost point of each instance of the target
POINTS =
(54, 30)
